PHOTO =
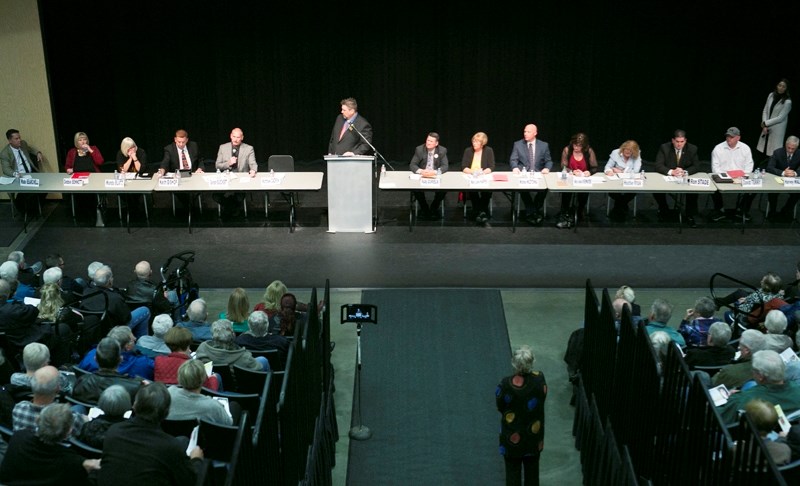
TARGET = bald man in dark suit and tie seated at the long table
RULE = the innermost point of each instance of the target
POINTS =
(533, 155)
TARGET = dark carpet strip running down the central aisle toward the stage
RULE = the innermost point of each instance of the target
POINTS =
(429, 370)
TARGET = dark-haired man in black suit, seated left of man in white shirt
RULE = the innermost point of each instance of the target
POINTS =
(677, 158)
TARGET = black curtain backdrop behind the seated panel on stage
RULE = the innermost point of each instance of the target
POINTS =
(144, 69)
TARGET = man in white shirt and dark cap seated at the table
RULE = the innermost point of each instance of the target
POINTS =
(732, 154)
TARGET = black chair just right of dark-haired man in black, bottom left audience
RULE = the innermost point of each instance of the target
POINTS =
(222, 443)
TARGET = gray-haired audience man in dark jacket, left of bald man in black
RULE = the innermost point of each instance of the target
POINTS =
(118, 312)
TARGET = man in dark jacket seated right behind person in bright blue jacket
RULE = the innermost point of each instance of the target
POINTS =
(90, 386)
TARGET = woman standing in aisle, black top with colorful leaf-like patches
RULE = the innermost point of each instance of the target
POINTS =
(520, 400)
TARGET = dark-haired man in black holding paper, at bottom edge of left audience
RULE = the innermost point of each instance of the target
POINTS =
(139, 451)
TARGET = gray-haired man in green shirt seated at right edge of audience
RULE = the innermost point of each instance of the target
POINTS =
(769, 373)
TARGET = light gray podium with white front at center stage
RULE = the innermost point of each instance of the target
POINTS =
(350, 193)
